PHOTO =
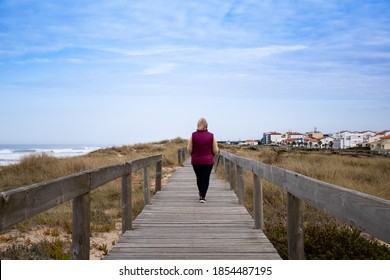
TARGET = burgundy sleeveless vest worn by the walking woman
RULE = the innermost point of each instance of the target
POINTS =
(202, 147)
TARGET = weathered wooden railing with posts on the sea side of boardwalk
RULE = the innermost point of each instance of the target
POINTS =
(22, 203)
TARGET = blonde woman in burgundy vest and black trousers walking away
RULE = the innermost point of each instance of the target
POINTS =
(202, 147)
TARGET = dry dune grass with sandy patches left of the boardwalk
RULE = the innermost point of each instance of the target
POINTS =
(30, 236)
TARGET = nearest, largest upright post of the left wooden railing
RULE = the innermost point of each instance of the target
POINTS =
(81, 227)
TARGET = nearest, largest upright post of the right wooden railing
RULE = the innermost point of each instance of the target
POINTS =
(295, 228)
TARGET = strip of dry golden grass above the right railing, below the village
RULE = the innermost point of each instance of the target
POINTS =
(365, 174)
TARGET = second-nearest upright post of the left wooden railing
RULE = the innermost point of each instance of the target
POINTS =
(127, 203)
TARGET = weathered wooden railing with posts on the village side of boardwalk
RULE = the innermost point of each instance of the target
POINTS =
(365, 212)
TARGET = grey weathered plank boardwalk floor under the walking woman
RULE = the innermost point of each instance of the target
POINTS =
(177, 226)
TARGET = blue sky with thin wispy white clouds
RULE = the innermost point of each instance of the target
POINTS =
(122, 72)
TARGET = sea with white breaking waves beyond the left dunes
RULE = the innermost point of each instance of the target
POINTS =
(12, 154)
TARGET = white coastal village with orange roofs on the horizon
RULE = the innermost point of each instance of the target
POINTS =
(375, 141)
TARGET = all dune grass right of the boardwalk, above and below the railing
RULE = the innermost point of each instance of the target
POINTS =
(325, 237)
